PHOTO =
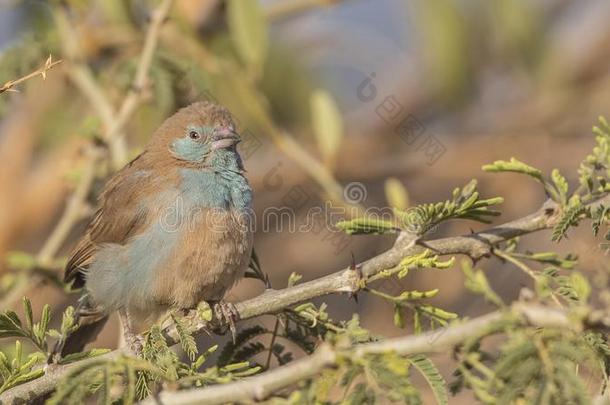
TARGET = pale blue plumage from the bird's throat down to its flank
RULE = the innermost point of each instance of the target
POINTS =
(123, 275)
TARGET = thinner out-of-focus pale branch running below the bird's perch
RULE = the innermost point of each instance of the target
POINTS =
(262, 386)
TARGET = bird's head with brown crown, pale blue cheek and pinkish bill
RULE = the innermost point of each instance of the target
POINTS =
(200, 135)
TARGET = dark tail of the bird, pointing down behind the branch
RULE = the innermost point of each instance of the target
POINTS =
(90, 322)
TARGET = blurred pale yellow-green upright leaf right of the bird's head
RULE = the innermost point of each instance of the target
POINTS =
(327, 124)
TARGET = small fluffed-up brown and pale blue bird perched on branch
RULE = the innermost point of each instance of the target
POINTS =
(174, 228)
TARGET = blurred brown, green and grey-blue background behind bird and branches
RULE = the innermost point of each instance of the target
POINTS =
(398, 100)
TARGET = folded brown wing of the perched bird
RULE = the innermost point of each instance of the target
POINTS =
(118, 218)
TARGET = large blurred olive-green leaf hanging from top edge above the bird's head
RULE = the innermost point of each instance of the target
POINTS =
(248, 30)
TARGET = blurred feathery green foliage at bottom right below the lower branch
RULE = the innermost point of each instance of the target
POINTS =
(533, 367)
